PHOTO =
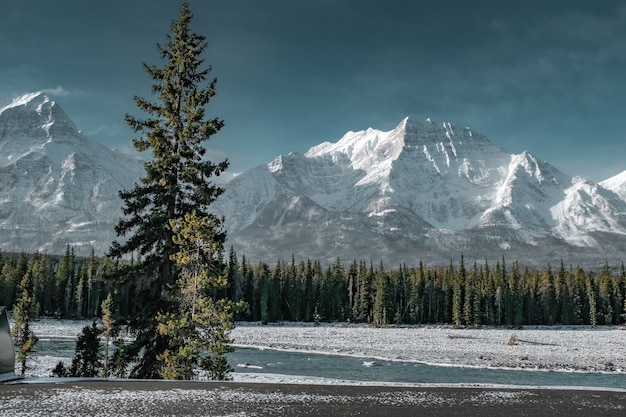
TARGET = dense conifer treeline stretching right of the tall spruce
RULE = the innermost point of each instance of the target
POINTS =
(477, 295)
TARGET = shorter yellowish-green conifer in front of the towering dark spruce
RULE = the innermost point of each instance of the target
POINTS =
(197, 330)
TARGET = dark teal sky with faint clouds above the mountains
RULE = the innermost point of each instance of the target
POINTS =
(543, 76)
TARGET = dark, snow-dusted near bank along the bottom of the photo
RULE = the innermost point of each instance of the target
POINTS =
(130, 398)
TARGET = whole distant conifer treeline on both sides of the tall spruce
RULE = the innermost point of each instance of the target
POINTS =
(458, 294)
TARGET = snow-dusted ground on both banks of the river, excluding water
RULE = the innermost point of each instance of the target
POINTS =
(567, 349)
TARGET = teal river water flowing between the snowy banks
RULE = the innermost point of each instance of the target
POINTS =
(267, 361)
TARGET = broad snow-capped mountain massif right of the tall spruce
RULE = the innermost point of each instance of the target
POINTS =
(423, 190)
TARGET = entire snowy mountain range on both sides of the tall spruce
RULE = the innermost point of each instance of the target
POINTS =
(422, 191)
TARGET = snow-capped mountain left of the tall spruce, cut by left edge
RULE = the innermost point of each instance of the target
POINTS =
(57, 187)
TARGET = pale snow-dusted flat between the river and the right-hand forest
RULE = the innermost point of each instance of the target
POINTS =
(554, 347)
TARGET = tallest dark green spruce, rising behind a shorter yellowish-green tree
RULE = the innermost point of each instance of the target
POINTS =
(177, 182)
